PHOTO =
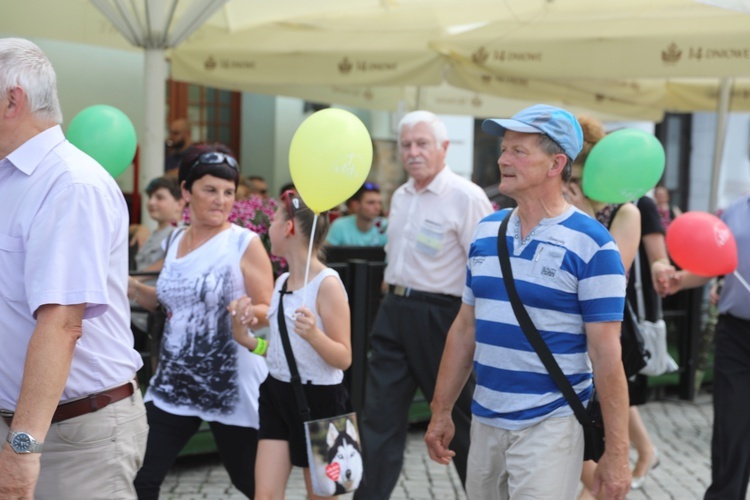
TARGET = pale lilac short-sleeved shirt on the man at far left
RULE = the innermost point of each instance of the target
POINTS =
(63, 240)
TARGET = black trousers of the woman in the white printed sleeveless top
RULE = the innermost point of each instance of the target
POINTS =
(167, 435)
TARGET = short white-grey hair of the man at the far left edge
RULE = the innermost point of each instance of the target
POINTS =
(23, 64)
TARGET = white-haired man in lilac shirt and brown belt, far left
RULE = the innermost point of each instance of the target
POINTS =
(73, 420)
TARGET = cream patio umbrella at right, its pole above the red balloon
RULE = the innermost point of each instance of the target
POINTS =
(648, 40)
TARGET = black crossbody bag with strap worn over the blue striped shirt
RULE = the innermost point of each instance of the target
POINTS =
(591, 417)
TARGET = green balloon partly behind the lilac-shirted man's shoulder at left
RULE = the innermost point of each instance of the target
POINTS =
(107, 135)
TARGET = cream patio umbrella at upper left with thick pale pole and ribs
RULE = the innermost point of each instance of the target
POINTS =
(157, 25)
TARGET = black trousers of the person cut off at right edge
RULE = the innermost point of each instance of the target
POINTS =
(730, 443)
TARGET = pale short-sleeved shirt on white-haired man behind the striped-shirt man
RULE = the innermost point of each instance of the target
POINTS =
(429, 233)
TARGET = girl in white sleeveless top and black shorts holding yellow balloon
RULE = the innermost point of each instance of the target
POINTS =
(317, 319)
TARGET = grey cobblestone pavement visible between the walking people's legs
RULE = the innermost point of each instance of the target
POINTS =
(681, 431)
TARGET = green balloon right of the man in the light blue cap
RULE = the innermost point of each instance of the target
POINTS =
(623, 166)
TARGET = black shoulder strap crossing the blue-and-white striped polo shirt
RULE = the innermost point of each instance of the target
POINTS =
(532, 334)
